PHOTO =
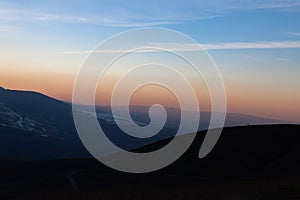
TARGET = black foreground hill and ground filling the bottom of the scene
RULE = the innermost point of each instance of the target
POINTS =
(248, 162)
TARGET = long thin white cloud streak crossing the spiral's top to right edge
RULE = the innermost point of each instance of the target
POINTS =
(181, 47)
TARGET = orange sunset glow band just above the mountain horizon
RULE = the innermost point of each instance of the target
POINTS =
(242, 98)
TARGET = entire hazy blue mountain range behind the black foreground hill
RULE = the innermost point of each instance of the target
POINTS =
(34, 126)
